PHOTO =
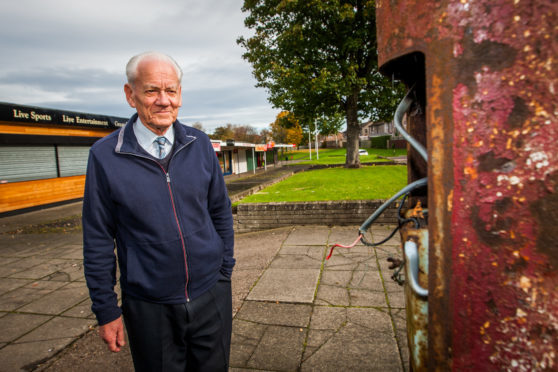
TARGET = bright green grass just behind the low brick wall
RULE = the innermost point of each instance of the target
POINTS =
(369, 182)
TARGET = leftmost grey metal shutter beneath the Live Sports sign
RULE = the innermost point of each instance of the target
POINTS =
(25, 163)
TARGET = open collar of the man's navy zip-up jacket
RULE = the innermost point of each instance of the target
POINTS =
(128, 143)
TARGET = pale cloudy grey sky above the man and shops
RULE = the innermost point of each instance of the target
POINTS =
(71, 55)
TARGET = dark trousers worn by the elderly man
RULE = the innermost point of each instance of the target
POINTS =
(194, 336)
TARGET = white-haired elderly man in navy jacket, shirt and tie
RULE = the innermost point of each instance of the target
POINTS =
(155, 191)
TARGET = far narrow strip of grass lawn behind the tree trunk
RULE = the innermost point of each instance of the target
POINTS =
(337, 156)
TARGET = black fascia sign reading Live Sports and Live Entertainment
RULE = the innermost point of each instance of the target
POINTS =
(38, 115)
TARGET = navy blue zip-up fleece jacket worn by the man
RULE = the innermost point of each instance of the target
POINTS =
(172, 231)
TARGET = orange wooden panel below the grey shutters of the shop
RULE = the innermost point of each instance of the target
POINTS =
(27, 194)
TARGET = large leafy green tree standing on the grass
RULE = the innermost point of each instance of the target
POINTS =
(317, 58)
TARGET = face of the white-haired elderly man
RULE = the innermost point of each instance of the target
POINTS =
(156, 94)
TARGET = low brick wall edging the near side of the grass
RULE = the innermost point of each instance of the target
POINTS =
(263, 216)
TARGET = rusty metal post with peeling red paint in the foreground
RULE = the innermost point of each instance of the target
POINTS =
(490, 76)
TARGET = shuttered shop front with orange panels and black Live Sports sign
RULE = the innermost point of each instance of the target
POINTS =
(43, 154)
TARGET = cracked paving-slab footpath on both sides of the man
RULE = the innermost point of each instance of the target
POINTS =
(293, 310)
